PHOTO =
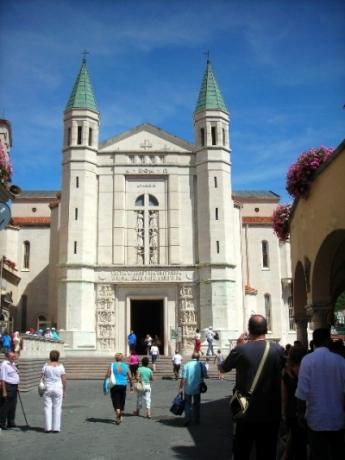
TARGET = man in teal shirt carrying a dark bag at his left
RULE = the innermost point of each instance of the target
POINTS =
(193, 374)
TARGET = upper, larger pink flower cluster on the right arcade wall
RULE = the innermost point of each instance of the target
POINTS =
(302, 172)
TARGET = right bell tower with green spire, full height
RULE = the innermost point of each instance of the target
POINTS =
(214, 207)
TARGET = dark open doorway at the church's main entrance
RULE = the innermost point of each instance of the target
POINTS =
(147, 317)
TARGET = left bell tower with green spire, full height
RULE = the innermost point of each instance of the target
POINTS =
(78, 214)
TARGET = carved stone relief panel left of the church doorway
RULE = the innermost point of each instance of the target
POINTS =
(105, 317)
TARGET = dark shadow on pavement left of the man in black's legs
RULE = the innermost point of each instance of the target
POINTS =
(212, 439)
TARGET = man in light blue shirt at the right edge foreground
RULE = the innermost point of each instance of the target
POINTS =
(321, 391)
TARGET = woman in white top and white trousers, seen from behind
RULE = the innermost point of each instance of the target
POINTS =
(55, 379)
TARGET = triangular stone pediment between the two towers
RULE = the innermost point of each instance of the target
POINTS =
(147, 138)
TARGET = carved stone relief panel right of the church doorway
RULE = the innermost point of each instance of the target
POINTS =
(187, 316)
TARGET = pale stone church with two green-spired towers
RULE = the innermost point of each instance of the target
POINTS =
(147, 234)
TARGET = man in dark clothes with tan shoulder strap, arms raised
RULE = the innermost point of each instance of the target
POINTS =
(255, 361)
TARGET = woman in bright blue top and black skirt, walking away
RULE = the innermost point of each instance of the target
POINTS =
(119, 376)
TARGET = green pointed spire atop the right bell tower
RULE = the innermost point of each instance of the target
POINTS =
(210, 96)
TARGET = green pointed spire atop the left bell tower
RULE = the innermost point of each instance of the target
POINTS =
(82, 96)
